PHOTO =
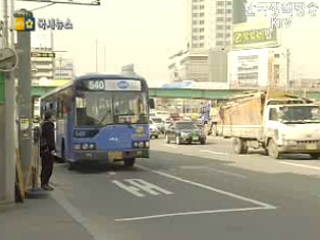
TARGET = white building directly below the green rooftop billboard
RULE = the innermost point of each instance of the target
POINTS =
(258, 68)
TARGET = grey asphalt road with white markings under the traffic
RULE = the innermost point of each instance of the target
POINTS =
(192, 192)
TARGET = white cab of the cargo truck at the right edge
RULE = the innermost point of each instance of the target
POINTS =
(291, 127)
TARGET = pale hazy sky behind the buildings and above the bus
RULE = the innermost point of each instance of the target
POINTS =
(146, 32)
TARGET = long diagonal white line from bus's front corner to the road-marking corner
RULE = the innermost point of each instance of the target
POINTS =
(216, 190)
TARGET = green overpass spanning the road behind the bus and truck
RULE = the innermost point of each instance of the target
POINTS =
(209, 94)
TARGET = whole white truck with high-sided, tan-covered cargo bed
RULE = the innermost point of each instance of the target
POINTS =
(273, 121)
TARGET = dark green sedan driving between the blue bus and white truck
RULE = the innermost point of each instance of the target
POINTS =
(185, 132)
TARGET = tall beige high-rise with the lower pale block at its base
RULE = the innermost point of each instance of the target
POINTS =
(209, 27)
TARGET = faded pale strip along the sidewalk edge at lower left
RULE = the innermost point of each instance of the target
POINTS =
(73, 212)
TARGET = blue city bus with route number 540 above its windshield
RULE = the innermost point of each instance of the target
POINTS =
(100, 118)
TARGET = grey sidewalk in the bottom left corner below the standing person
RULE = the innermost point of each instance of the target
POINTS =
(37, 219)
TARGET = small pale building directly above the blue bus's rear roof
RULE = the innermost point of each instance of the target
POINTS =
(64, 69)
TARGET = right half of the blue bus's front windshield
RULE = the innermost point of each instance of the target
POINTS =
(130, 107)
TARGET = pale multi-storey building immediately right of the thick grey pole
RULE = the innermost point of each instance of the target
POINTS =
(42, 65)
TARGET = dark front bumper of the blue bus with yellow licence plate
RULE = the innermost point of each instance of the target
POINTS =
(116, 155)
